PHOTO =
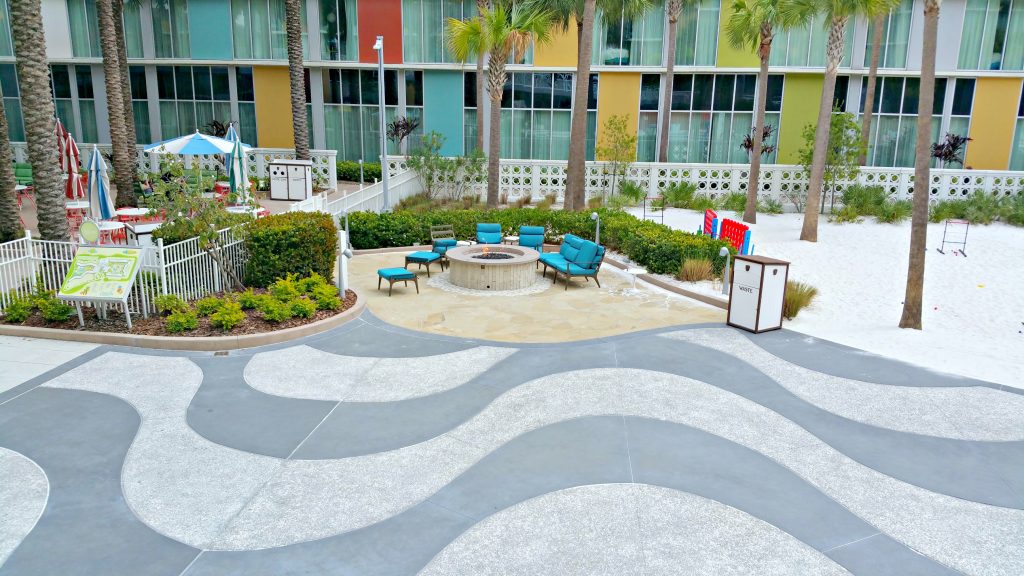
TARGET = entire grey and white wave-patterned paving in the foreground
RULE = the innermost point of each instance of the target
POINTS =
(373, 449)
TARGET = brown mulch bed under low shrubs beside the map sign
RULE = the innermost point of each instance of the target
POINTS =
(154, 326)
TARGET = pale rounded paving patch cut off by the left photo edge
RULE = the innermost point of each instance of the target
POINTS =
(24, 491)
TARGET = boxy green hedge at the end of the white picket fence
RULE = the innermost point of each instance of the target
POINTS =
(300, 243)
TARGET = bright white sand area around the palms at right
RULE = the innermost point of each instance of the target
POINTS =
(974, 307)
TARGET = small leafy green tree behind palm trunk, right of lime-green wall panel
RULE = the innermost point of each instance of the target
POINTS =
(843, 158)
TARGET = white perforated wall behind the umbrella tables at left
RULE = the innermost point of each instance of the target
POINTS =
(325, 161)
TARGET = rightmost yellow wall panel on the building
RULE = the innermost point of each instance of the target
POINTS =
(993, 122)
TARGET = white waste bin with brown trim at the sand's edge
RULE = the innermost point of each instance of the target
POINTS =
(757, 294)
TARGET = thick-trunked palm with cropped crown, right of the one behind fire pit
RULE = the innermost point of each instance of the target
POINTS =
(584, 13)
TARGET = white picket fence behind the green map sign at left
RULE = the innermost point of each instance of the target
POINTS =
(184, 269)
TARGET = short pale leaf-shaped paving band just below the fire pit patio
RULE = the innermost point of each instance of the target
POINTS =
(309, 374)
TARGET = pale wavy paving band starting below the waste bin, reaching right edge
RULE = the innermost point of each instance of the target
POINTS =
(963, 414)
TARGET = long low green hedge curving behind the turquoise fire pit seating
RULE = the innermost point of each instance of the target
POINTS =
(655, 246)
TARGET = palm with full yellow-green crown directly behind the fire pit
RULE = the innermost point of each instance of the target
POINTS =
(500, 32)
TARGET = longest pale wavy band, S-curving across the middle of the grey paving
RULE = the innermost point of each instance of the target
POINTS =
(210, 497)
